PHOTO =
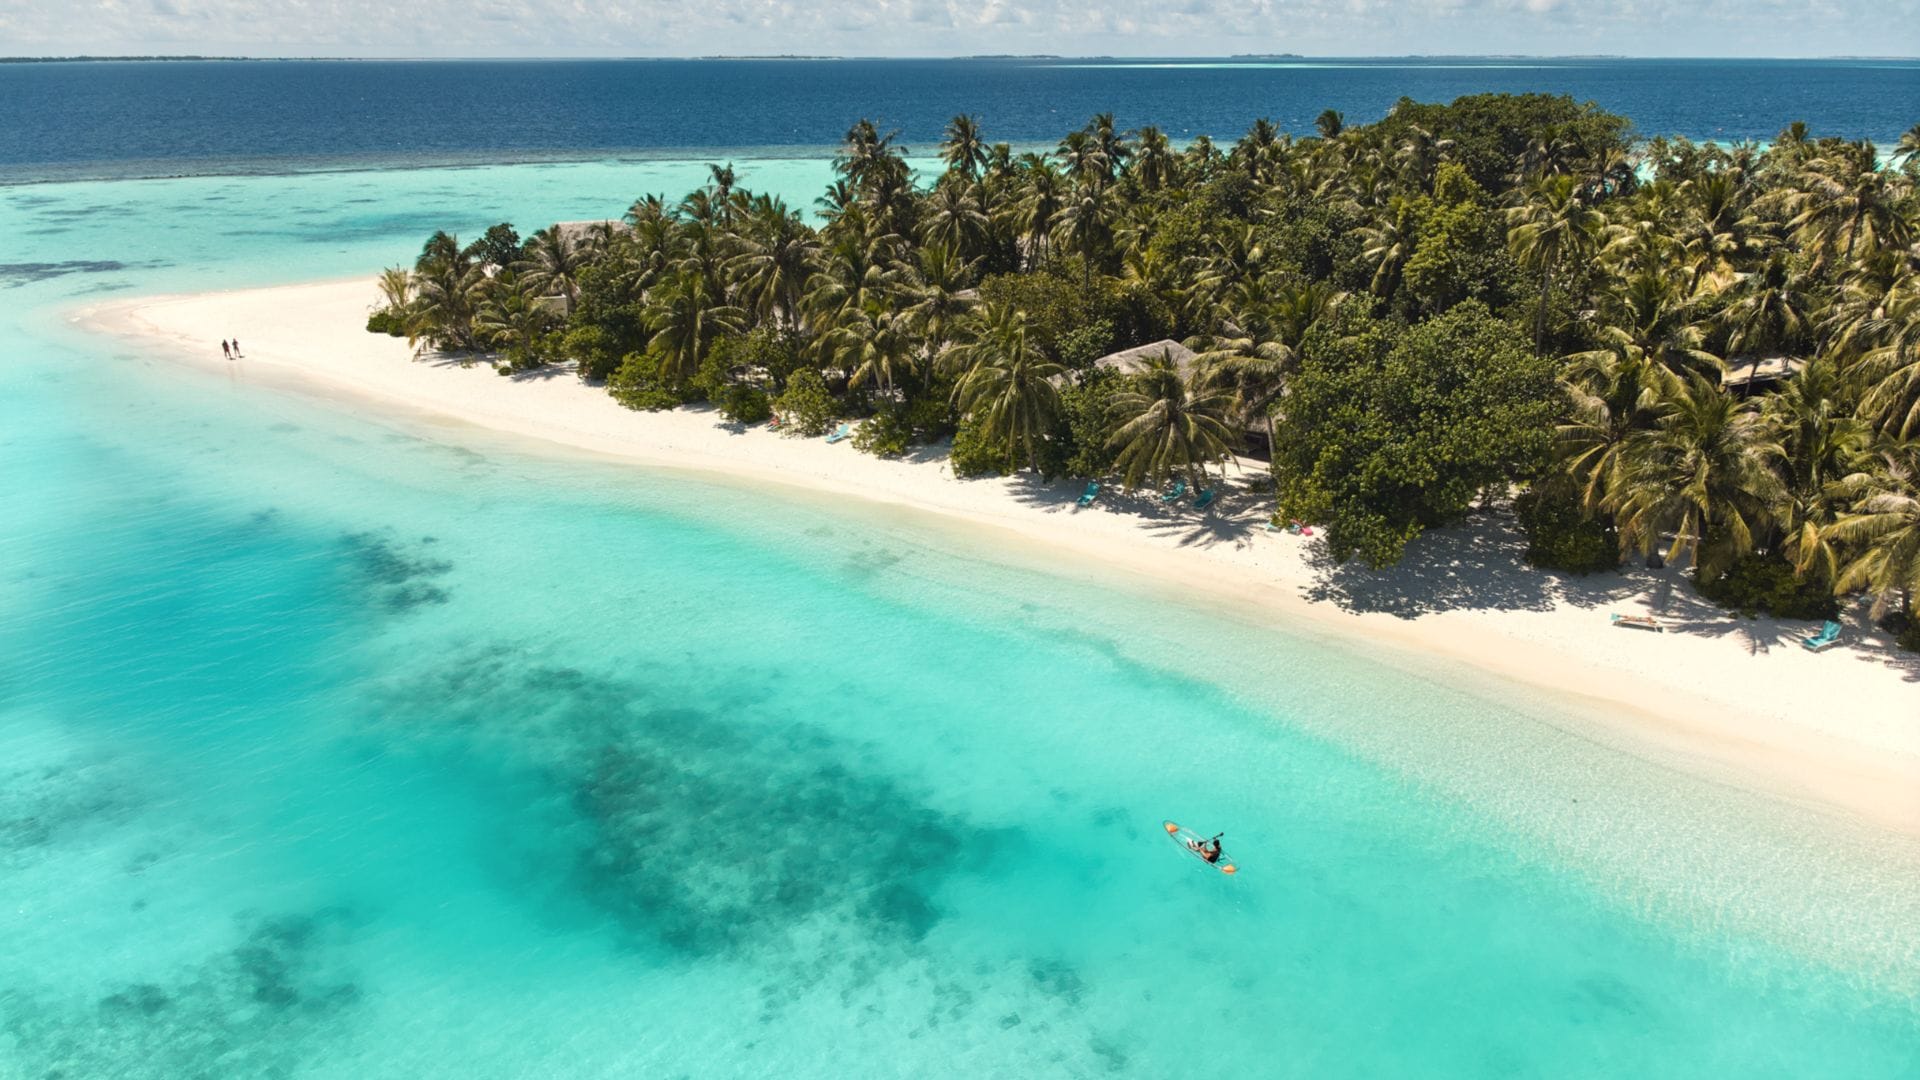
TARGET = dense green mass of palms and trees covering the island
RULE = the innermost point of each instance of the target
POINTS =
(1648, 347)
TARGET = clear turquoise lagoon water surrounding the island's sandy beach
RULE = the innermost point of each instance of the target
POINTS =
(343, 745)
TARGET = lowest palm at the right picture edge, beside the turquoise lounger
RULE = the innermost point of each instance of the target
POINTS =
(1883, 529)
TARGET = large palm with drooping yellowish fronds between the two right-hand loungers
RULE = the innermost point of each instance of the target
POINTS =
(1706, 476)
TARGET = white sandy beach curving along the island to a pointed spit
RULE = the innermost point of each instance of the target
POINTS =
(1733, 699)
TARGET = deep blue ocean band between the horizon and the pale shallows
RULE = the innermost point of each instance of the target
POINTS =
(128, 120)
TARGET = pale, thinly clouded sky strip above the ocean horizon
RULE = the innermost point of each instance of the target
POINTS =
(959, 28)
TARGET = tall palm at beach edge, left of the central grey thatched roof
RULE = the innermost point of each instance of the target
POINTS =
(1009, 385)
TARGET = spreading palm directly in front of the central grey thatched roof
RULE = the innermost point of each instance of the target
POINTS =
(1166, 428)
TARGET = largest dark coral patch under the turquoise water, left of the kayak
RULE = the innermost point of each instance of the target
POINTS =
(713, 829)
